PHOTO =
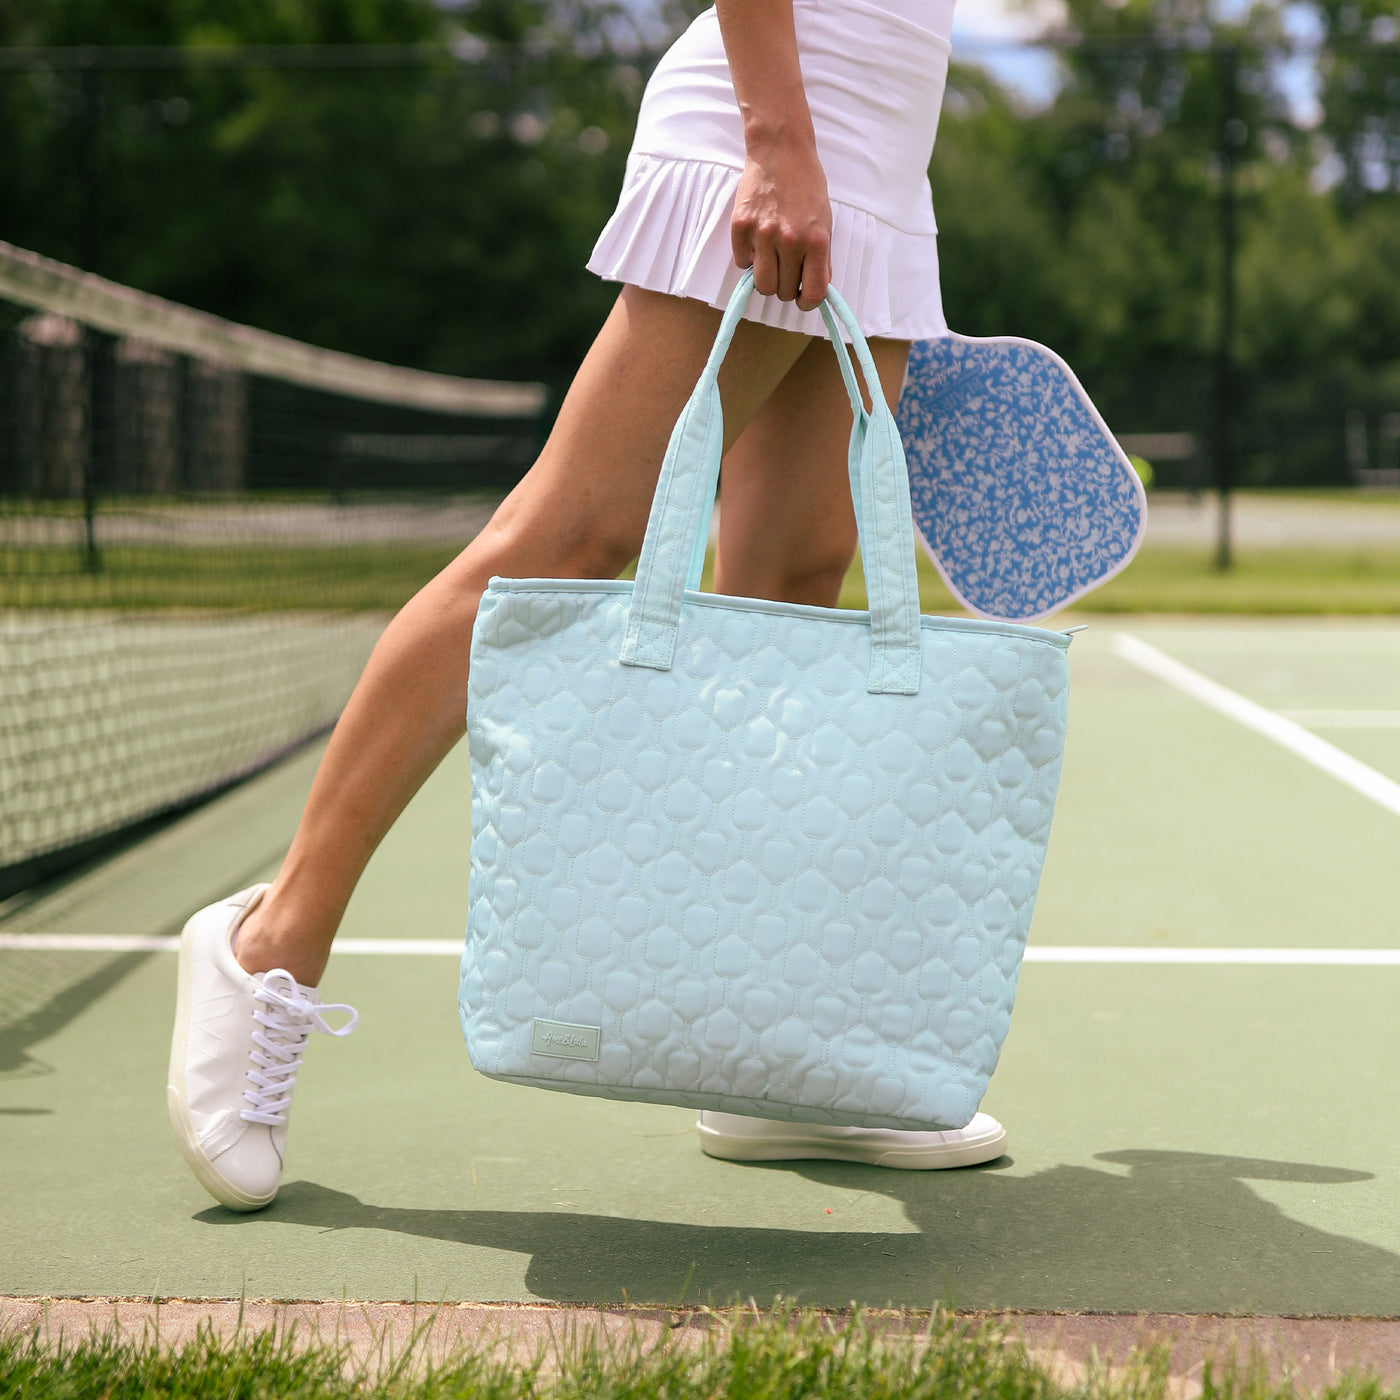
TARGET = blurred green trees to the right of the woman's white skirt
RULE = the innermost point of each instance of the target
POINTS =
(1093, 225)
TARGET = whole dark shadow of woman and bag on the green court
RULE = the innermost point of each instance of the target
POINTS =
(1174, 1233)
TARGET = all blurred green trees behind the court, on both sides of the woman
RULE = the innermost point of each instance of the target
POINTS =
(437, 211)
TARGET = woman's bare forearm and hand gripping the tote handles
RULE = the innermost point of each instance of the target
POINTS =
(782, 216)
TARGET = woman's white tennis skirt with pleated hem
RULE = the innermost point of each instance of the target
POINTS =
(874, 72)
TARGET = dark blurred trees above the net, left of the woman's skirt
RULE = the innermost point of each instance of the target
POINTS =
(437, 212)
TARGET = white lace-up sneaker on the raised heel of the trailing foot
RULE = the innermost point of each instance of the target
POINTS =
(236, 1055)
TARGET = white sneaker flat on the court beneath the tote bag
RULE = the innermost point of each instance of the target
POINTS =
(741, 1139)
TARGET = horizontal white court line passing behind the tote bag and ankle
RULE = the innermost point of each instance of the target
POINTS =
(1048, 954)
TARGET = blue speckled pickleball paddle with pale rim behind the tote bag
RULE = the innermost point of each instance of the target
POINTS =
(1021, 495)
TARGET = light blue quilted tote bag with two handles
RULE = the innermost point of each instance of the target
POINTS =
(750, 856)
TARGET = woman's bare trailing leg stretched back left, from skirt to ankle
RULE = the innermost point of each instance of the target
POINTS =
(580, 513)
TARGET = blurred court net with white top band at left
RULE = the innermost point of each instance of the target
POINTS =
(204, 530)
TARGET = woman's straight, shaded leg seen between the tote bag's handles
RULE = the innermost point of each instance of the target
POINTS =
(787, 527)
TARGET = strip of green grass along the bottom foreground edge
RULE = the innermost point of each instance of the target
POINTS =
(748, 1356)
